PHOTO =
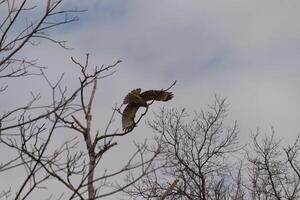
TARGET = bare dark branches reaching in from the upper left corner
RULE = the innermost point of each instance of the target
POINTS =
(20, 27)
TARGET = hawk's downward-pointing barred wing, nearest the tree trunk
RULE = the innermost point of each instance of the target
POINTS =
(128, 116)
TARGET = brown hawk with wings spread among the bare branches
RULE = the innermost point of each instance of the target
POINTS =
(136, 99)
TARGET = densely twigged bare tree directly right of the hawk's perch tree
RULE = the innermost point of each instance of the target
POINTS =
(197, 153)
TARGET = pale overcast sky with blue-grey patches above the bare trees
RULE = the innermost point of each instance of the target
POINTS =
(246, 51)
